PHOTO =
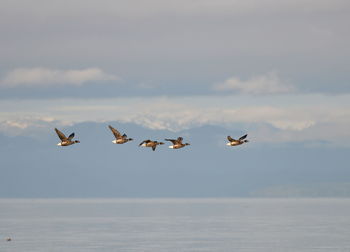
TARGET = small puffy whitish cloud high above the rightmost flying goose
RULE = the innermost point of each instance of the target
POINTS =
(269, 83)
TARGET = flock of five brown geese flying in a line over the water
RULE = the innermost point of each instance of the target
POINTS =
(121, 139)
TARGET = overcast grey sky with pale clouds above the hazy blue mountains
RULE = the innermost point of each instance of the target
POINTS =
(177, 64)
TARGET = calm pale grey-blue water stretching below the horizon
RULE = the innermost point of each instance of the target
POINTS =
(175, 225)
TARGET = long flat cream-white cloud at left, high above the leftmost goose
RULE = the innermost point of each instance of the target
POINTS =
(40, 76)
